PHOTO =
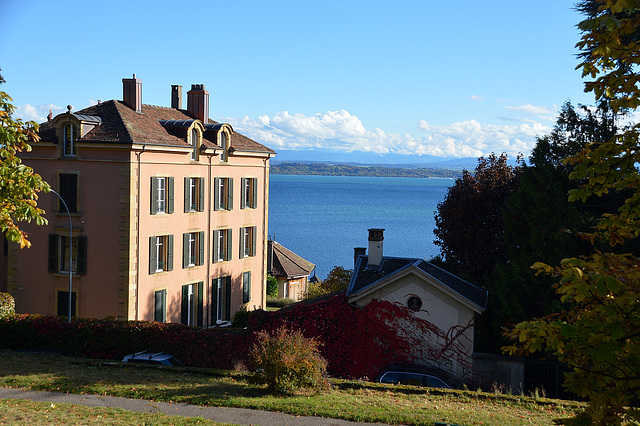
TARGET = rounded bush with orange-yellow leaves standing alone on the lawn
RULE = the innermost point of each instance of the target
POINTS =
(287, 361)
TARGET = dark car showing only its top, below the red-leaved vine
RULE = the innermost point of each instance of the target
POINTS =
(417, 375)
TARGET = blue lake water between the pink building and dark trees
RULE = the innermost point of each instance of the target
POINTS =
(322, 218)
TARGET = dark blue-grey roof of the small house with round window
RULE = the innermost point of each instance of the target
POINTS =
(364, 277)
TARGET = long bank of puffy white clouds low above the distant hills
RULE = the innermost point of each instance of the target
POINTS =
(339, 131)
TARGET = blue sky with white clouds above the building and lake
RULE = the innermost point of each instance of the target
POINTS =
(402, 81)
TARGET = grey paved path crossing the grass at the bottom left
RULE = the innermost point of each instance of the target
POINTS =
(238, 416)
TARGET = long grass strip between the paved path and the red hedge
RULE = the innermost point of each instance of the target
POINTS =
(350, 400)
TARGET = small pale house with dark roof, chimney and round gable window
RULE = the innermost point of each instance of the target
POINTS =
(446, 302)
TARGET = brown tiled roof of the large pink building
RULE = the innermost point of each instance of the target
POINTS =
(122, 125)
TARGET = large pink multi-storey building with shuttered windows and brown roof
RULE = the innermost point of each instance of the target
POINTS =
(169, 214)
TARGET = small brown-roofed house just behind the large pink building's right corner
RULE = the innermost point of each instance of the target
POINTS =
(291, 271)
